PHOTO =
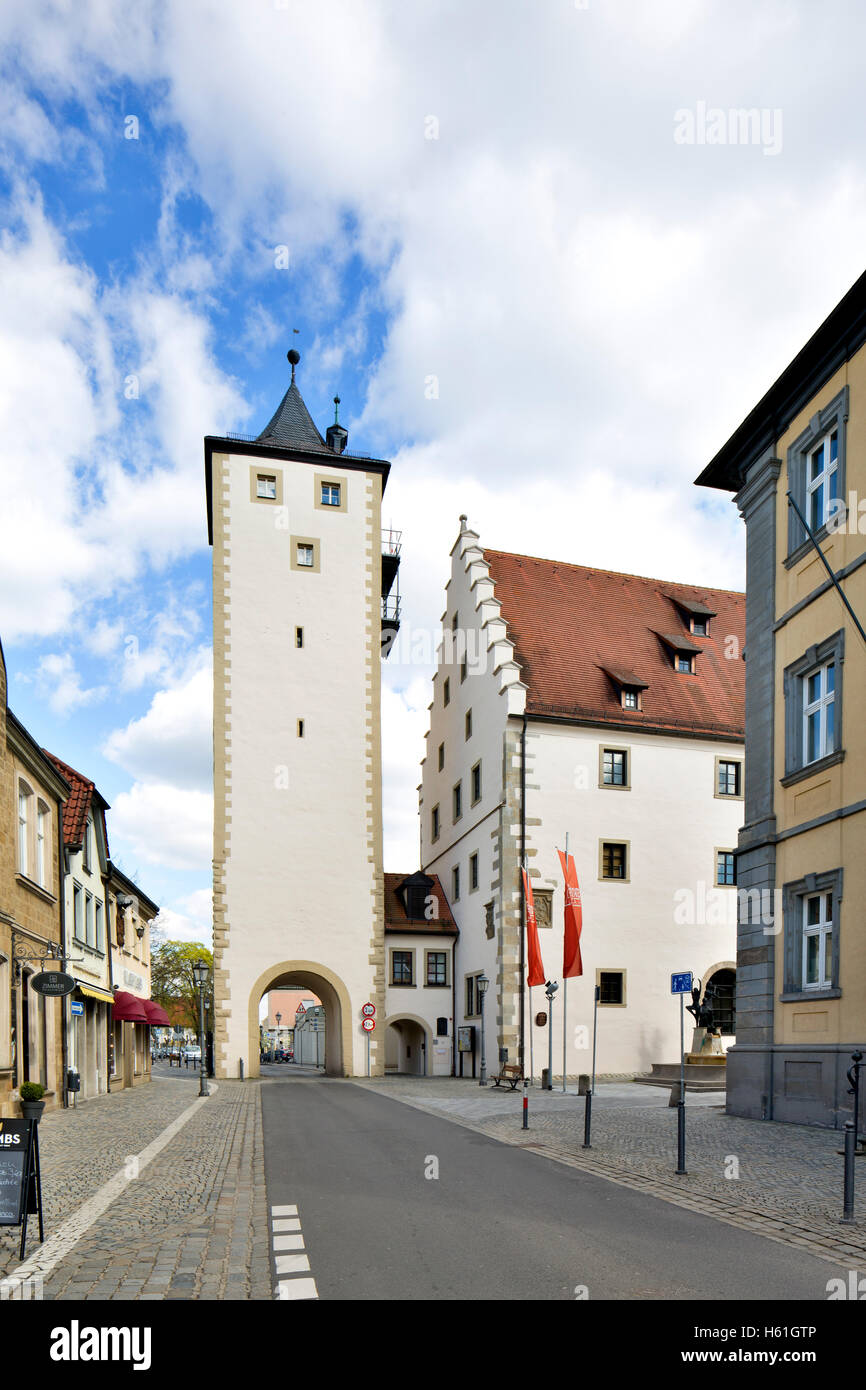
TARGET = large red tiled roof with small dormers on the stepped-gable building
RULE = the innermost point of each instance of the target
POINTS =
(572, 625)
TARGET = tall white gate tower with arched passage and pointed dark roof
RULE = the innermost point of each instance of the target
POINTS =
(302, 596)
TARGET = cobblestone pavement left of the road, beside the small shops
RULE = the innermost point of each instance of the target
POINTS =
(193, 1227)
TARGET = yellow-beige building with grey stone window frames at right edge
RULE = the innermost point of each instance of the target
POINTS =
(799, 469)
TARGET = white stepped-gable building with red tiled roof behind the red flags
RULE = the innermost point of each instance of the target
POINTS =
(610, 710)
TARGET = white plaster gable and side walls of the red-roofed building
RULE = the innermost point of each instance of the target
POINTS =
(671, 817)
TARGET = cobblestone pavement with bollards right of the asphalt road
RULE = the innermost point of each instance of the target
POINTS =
(786, 1179)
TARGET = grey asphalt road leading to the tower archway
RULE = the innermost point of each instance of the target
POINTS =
(498, 1223)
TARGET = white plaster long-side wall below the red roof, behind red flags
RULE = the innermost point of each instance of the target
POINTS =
(673, 824)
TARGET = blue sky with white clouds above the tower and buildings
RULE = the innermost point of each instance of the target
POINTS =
(533, 248)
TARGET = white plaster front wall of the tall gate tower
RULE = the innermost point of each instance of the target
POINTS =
(300, 876)
